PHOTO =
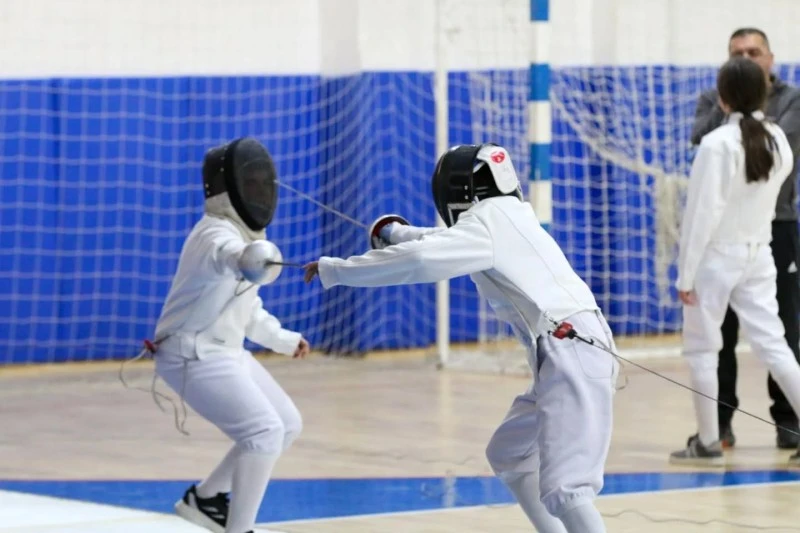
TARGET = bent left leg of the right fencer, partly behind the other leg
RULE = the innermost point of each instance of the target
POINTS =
(513, 455)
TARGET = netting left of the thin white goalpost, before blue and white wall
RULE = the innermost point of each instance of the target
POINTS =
(101, 155)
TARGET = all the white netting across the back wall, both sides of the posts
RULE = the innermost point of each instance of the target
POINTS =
(102, 146)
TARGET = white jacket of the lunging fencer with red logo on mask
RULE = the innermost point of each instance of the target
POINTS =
(515, 263)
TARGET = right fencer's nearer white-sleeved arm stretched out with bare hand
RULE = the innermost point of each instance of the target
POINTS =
(465, 248)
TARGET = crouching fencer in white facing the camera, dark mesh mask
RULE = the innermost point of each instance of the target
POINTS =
(212, 306)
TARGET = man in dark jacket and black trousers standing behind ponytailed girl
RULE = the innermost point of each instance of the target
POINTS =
(783, 107)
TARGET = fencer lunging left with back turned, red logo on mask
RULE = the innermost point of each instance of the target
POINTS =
(551, 448)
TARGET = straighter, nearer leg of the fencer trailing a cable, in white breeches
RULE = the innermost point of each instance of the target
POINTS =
(575, 396)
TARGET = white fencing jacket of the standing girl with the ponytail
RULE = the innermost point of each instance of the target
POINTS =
(721, 207)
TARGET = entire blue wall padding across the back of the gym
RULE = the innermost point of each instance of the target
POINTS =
(61, 304)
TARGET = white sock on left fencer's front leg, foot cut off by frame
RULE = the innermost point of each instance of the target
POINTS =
(250, 479)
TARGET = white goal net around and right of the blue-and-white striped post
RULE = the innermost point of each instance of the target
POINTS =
(623, 97)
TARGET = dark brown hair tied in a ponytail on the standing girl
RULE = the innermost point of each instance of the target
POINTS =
(742, 86)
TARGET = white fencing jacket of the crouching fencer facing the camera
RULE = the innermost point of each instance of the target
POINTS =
(210, 310)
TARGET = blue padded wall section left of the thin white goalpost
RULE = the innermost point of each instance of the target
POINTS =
(81, 281)
